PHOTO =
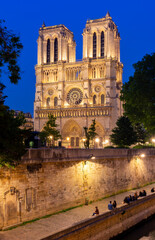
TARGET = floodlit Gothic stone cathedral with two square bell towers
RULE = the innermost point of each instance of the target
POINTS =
(76, 92)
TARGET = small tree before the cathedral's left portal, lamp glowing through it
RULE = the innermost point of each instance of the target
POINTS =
(49, 132)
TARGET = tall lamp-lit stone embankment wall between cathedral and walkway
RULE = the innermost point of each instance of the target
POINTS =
(50, 180)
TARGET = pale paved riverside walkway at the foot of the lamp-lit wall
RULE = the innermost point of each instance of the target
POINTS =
(45, 227)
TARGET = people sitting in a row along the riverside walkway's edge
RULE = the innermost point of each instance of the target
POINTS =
(127, 199)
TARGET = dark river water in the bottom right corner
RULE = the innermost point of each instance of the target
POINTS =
(144, 231)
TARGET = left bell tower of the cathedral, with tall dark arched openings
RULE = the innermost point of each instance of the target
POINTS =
(55, 44)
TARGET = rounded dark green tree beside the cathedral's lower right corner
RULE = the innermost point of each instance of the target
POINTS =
(123, 135)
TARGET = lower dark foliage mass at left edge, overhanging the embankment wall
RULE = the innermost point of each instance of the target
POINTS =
(12, 136)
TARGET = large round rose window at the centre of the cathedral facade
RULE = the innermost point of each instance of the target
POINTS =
(74, 96)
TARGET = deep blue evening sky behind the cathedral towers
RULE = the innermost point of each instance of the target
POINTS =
(135, 20)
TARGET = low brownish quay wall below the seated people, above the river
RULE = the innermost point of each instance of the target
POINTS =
(109, 224)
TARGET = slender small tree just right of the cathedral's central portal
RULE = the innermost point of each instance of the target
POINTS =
(90, 134)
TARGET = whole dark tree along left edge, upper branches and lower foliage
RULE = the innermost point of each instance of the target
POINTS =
(11, 135)
